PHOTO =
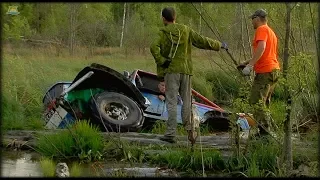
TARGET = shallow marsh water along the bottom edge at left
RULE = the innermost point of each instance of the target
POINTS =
(27, 164)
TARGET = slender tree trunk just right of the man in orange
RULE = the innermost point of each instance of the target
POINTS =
(287, 144)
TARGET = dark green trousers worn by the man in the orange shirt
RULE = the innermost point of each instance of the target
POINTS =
(260, 97)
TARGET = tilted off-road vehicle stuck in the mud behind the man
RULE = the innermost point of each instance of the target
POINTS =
(120, 102)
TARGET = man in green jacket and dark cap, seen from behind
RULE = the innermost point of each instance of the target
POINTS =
(172, 54)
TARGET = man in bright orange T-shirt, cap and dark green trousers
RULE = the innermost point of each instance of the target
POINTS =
(266, 66)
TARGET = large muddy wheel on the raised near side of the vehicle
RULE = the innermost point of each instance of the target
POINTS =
(116, 112)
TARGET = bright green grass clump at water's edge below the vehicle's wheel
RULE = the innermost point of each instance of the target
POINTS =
(82, 141)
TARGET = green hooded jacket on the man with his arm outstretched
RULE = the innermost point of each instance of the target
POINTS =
(174, 42)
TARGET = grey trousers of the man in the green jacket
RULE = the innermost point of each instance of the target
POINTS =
(177, 83)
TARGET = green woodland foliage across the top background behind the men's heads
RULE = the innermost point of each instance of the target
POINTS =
(100, 23)
